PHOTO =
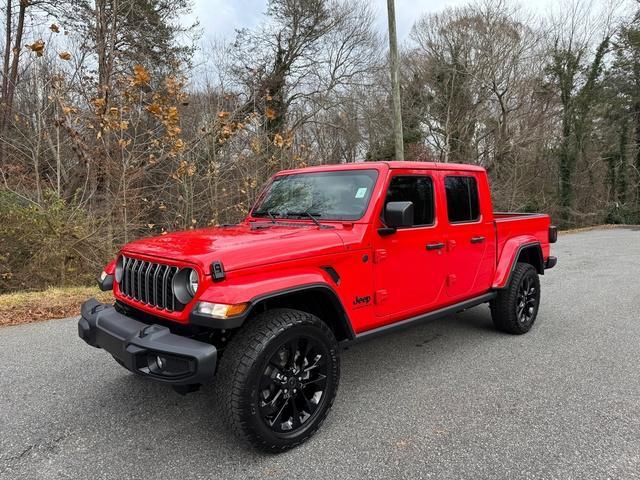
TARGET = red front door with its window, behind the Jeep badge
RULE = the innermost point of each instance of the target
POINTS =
(409, 264)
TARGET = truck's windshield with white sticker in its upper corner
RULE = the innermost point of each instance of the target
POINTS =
(342, 195)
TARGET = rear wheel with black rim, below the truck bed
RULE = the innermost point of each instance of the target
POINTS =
(515, 308)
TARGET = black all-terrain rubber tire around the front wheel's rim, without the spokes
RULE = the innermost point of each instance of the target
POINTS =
(242, 369)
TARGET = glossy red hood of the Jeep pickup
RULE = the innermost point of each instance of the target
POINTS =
(242, 245)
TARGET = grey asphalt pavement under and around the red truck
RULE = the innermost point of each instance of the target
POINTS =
(451, 399)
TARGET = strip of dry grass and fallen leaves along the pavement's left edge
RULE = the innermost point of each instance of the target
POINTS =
(27, 307)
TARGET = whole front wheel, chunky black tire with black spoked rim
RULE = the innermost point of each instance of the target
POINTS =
(278, 378)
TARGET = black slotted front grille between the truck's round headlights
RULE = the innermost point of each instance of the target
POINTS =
(149, 283)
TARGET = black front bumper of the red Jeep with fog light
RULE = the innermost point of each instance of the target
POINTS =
(148, 350)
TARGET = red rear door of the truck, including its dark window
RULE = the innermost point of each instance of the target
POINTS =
(470, 243)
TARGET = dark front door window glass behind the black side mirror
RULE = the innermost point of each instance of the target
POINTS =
(416, 189)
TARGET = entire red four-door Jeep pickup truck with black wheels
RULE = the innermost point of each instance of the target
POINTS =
(328, 255)
